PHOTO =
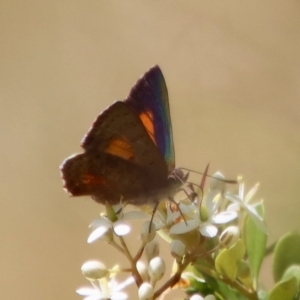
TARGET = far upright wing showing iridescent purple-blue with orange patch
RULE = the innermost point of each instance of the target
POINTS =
(149, 98)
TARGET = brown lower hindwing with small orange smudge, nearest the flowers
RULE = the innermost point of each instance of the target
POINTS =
(96, 176)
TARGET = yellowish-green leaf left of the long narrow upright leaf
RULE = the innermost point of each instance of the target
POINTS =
(227, 262)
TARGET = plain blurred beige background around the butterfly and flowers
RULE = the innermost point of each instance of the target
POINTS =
(232, 70)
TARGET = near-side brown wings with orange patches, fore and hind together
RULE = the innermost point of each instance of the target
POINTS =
(120, 159)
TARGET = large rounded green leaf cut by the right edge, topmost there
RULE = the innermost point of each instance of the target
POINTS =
(286, 254)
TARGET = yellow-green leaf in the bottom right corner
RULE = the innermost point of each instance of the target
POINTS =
(286, 289)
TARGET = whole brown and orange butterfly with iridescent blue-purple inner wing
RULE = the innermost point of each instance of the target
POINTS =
(128, 151)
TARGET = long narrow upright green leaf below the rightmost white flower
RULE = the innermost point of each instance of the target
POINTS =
(256, 240)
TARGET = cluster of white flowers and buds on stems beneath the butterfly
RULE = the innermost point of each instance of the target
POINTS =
(194, 228)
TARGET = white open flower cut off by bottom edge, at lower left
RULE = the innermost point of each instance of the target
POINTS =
(105, 290)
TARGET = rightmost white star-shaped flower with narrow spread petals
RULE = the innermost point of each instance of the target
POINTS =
(243, 202)
